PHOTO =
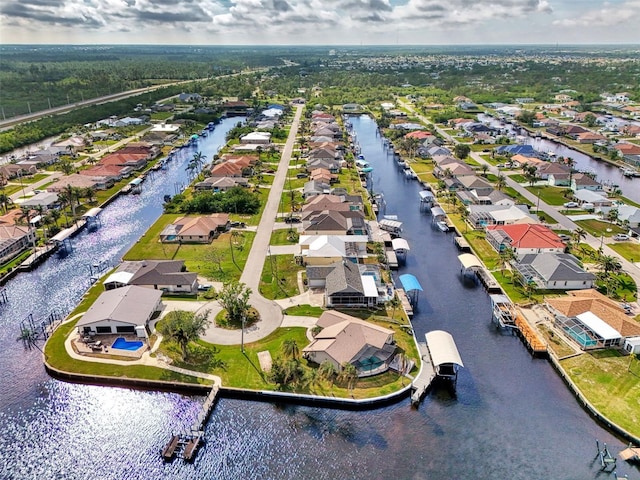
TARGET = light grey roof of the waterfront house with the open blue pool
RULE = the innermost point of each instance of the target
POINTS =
(130, 304)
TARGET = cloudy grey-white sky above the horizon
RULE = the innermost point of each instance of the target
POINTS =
(319, 22)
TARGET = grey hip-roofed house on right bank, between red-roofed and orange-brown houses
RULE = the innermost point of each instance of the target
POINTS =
(554, 271)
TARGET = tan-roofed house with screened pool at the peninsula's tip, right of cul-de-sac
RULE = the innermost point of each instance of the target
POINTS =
(346, 339)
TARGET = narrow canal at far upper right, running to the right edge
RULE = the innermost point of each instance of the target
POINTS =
(606, 173)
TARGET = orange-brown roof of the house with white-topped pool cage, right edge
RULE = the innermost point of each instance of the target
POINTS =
(590, 300)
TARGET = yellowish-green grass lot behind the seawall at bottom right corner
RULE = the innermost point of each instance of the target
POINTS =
(611, 382)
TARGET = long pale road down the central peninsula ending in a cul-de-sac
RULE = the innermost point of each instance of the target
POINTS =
(270, 312)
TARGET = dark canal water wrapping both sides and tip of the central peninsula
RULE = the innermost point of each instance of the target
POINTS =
(511, 418)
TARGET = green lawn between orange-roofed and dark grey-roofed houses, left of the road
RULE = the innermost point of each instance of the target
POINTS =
(195, 255)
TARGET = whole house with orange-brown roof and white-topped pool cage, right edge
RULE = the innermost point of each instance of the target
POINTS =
(591, 319)
